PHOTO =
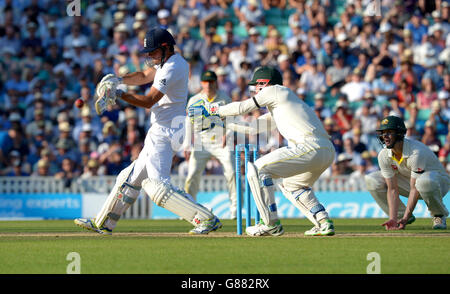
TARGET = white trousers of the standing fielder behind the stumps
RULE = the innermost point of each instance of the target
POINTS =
(197, 164)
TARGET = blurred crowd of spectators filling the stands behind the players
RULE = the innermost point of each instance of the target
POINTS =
(352, 61)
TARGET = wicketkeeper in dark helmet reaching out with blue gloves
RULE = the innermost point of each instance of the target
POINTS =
(308, 154)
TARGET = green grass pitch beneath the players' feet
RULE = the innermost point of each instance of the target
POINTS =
(164, 247)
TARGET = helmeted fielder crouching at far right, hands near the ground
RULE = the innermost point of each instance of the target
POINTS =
(407, 168)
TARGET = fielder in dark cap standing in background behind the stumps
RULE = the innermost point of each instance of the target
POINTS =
(209, 141)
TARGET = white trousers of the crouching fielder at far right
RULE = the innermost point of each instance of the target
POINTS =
(431, 185)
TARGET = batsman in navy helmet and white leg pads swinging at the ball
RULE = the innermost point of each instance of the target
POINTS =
(166, 99)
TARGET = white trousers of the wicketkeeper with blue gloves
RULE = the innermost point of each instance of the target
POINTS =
(299, 166)
